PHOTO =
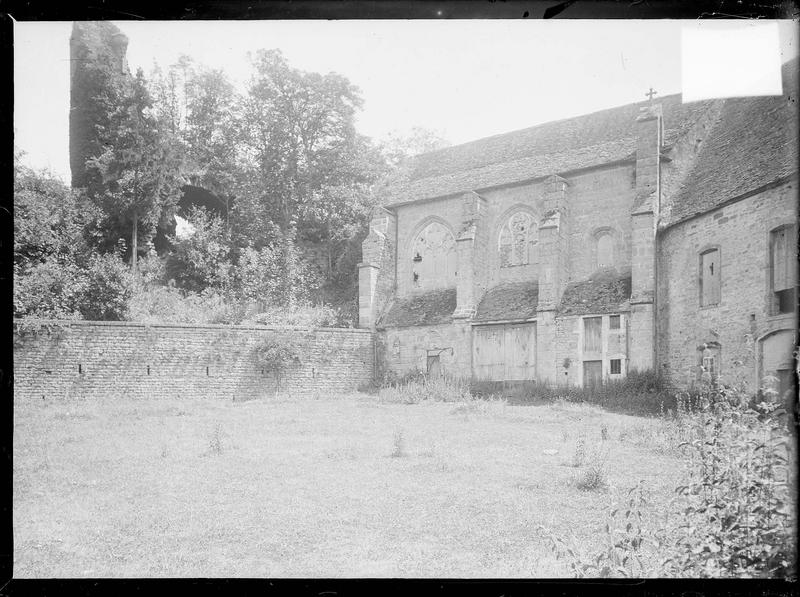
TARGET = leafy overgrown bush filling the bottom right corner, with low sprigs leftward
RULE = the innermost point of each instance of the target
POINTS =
(732, 516)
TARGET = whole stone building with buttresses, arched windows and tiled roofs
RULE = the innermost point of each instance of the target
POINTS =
(657, 235)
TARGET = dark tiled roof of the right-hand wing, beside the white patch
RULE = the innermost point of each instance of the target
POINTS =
(753, 143)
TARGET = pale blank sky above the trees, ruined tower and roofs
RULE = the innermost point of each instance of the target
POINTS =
(463, 79)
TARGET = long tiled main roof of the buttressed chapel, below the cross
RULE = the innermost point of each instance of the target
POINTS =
(560, 146)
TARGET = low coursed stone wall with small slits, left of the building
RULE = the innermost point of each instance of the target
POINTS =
(90, 359)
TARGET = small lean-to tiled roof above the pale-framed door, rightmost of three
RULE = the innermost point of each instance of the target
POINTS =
(603, 292)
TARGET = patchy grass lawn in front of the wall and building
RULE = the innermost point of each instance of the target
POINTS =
(311, 488)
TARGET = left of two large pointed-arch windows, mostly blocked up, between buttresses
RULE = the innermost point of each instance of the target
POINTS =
(433, 257)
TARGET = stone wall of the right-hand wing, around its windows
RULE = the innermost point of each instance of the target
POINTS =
(741, 231)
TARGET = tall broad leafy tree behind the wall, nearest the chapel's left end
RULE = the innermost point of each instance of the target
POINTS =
(298, 136)
